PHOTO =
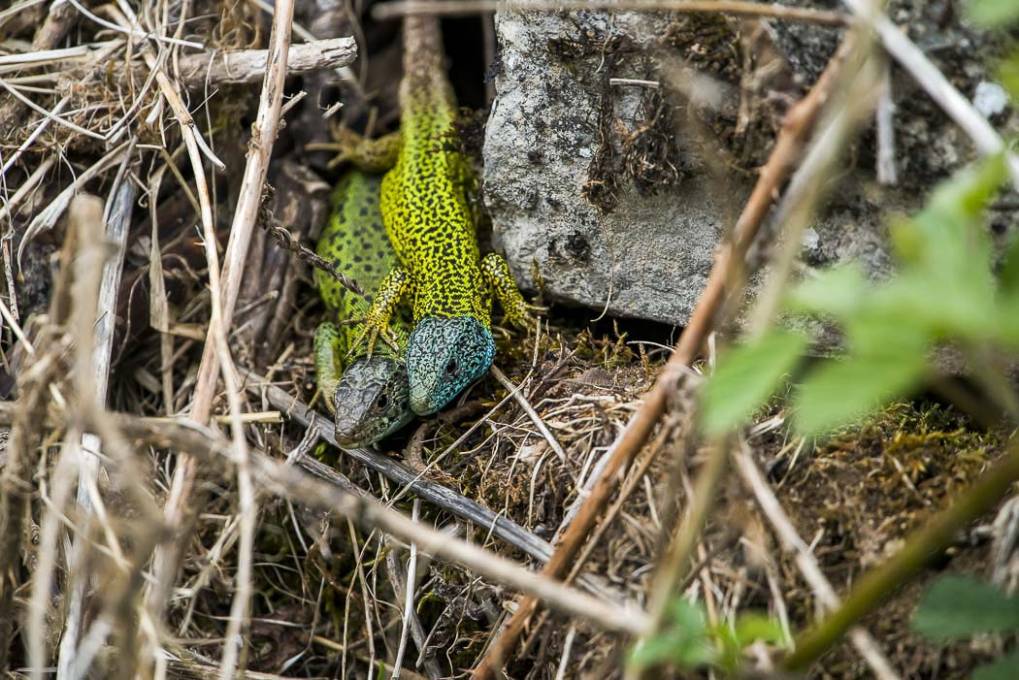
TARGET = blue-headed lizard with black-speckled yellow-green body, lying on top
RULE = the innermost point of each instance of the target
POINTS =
(428, 219)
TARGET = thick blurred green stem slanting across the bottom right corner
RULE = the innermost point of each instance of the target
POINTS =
(875, 588)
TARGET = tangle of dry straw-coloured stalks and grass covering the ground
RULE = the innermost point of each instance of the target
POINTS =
(165, 509)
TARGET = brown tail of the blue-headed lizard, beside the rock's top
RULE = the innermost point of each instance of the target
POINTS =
(424, 72)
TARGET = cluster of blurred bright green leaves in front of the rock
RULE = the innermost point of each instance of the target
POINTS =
(945, 291)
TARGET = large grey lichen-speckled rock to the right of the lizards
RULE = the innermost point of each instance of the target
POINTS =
(615, 195)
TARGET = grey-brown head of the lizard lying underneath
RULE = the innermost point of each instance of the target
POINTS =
(372, 401)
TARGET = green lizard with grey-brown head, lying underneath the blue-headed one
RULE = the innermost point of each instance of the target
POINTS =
(369, 399)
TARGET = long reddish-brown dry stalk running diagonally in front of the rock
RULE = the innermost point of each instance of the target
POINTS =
(795, 131)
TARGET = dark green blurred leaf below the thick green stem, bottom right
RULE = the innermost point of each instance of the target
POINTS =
(960, 607)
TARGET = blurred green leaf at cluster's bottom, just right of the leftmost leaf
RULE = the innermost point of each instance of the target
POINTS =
(842, 391)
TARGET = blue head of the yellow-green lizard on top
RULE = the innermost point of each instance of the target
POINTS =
(444, 356)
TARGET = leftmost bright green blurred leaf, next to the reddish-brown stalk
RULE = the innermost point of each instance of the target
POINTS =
(747, 377)
